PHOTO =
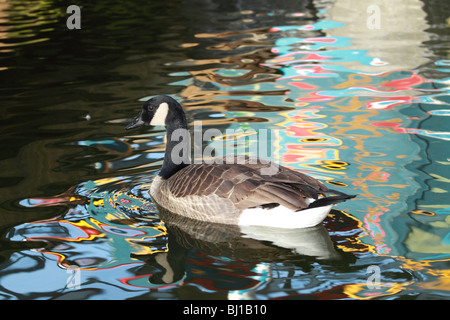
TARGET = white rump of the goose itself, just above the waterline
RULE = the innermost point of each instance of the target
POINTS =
(281, 217)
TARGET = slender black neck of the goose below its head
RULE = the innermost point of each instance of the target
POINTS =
(178, 147)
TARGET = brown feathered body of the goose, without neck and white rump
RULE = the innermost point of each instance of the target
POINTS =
(200, 190)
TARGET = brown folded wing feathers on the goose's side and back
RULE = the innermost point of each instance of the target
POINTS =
(245, 185)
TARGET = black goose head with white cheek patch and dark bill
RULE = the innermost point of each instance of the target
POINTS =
(160, 111)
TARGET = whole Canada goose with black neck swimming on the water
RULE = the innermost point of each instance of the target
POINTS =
(239, 193)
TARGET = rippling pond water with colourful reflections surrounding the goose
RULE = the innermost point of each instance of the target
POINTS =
(356, 94)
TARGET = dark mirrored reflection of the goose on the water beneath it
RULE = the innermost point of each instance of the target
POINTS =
(252, 245)
